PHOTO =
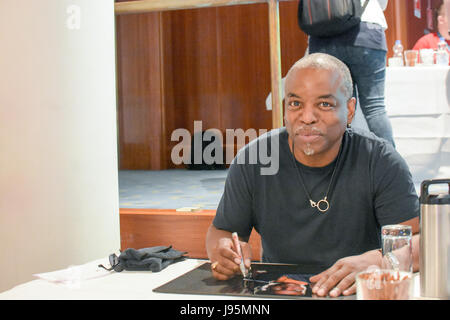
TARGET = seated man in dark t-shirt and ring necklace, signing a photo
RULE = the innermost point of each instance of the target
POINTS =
(325, 207)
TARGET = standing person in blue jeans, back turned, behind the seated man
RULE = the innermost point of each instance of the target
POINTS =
(363, 49)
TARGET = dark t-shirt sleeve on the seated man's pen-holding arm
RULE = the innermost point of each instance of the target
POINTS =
(234, 212)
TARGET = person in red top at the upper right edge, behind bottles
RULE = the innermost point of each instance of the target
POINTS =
(431, 40)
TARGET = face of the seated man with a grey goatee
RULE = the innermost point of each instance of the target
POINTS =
(316, 113)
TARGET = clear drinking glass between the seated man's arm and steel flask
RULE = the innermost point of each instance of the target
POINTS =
(396, 247)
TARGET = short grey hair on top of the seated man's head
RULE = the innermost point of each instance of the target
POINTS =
(326, 62)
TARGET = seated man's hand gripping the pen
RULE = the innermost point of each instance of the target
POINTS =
(223, 255)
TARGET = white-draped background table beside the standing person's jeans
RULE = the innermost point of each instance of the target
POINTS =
(418, 106)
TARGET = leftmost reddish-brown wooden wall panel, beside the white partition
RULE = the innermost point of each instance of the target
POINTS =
(140, 111)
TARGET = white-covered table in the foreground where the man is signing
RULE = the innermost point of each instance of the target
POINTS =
(125, 285)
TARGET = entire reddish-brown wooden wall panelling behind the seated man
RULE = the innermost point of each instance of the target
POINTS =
(209, 64)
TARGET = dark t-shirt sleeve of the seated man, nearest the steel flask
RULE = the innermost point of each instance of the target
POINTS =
(395, 197)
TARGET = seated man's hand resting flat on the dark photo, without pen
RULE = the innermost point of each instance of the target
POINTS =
(340, 278)
